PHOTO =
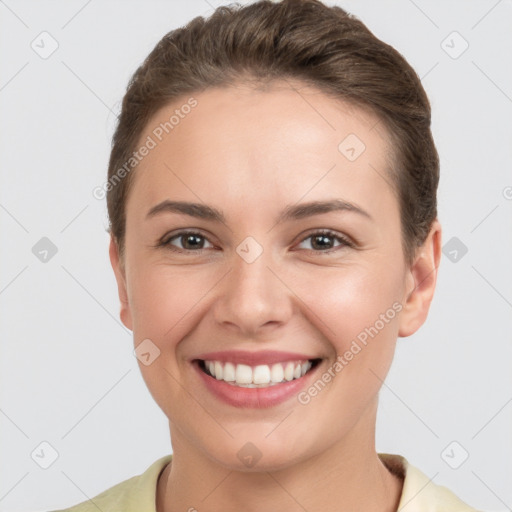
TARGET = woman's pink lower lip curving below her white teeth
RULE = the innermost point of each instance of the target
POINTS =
(254, 397)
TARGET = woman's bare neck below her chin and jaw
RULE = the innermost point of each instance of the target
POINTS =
(348, 476)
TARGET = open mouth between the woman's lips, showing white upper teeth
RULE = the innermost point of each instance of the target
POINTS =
(259, 376)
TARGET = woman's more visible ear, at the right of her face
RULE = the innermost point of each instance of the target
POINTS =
(420, 283)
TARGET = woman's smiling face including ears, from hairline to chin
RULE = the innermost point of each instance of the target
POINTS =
(258, 283)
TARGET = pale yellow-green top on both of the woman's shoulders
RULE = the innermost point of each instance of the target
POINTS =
(138, 494)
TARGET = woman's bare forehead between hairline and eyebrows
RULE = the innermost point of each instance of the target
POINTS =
(243, 142)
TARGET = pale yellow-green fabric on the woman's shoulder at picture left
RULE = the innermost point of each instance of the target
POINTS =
(137, 493)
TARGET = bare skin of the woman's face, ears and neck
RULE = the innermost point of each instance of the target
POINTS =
(251, 153)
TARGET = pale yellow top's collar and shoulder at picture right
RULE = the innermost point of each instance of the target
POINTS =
(420, 493)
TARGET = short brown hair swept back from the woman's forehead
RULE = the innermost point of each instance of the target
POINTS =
(304, 40)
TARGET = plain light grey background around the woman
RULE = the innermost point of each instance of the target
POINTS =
(68, 374)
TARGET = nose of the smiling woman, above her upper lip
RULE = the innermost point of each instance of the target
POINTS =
(254, 298)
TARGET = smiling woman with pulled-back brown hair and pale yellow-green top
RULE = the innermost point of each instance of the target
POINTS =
(272, 201)
